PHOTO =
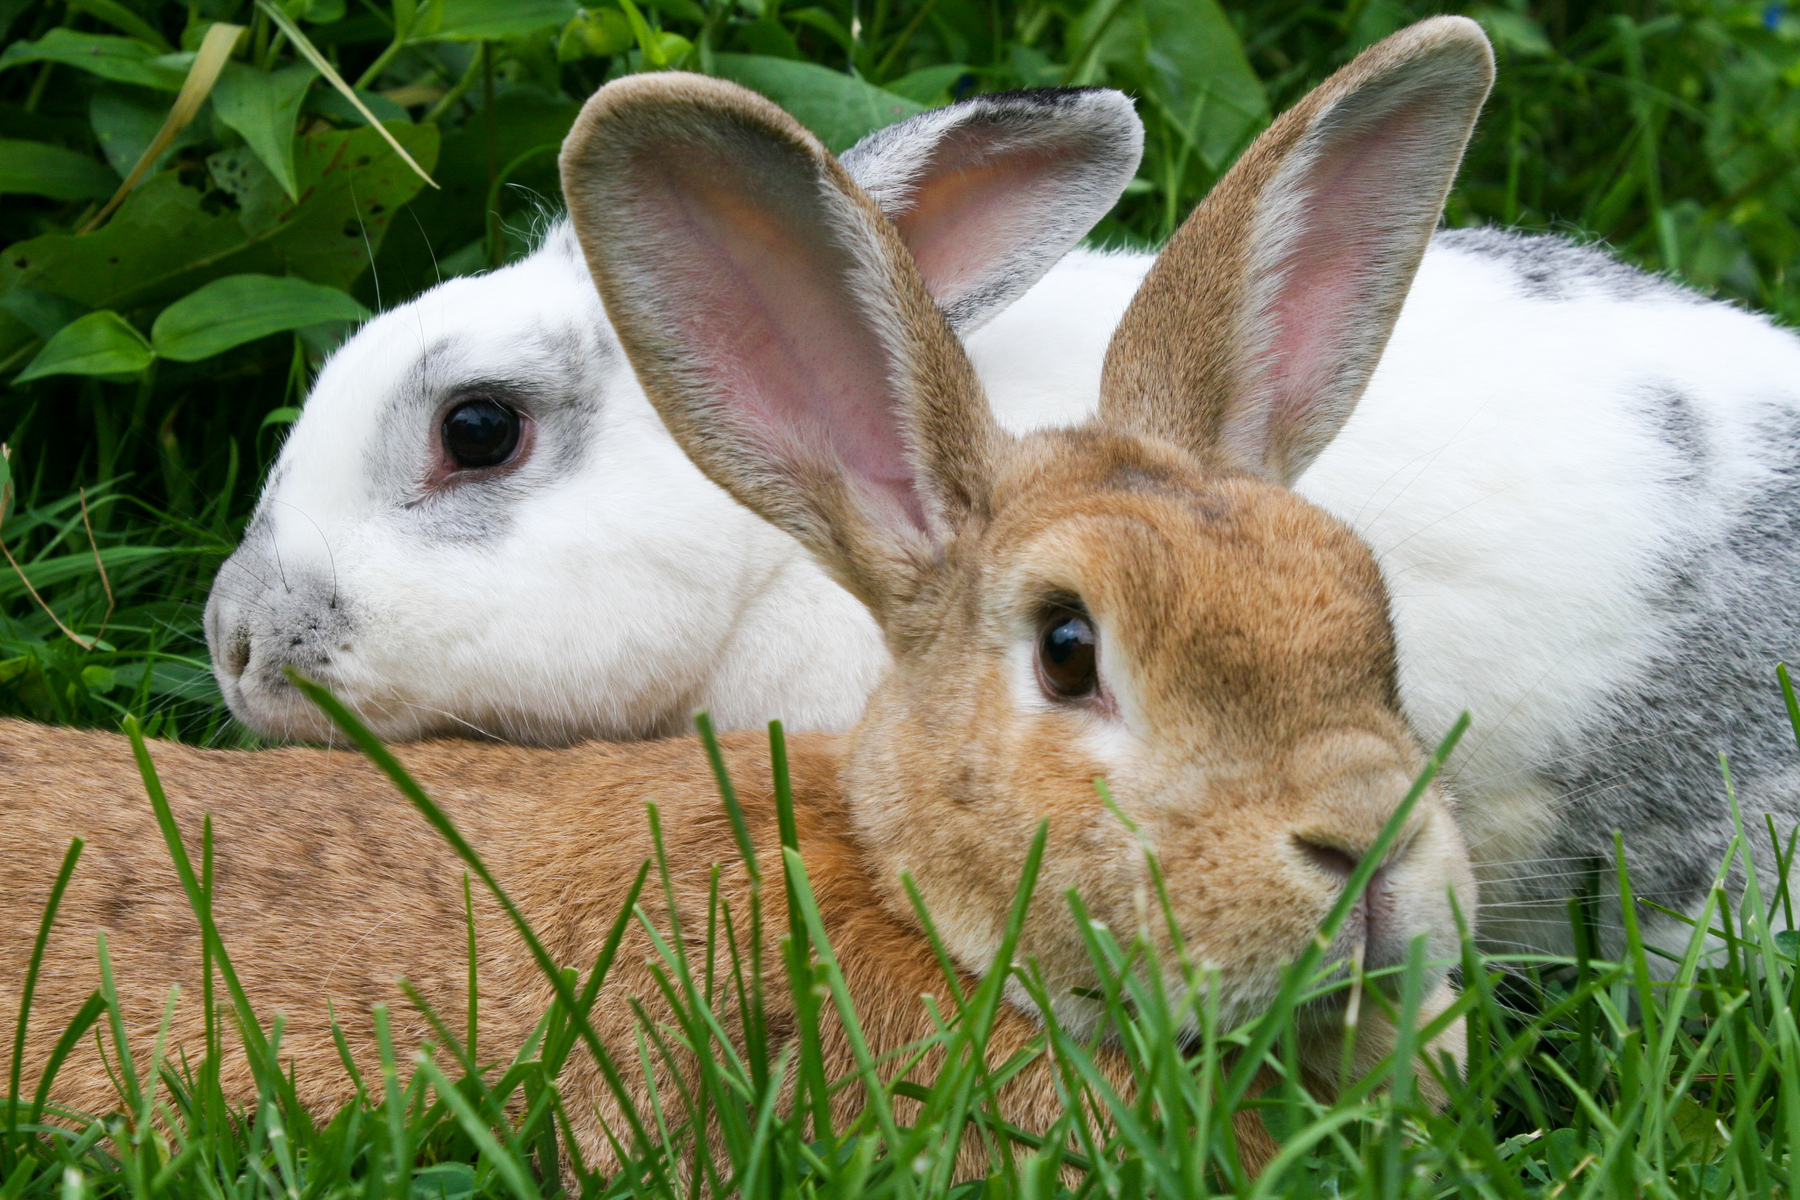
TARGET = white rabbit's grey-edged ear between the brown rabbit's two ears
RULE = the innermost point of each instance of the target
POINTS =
(993, 192)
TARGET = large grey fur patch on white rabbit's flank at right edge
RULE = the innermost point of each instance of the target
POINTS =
(1650, 764)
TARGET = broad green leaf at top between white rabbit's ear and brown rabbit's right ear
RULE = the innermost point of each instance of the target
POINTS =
(1201, 78)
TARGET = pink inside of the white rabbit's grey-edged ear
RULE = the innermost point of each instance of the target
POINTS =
(975, 210)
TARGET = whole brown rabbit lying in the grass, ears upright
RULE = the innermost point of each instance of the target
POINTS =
(1140, 600)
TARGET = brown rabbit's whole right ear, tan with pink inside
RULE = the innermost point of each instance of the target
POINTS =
(1263, 321)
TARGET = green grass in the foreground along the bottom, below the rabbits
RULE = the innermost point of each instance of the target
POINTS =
(1585, 1079)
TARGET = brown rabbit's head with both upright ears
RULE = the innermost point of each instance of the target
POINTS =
(1138, 600)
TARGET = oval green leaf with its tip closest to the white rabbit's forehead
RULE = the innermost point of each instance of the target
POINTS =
(242, 309)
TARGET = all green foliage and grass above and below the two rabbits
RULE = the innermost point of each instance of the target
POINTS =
(1671, 130)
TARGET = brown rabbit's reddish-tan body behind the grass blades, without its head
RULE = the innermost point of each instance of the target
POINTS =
(328, 891)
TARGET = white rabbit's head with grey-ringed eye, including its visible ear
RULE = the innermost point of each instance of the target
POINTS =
(480, 526)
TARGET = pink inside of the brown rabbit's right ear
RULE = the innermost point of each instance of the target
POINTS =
(1326, 312)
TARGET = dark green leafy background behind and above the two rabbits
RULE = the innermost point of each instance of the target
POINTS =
(1668, 129)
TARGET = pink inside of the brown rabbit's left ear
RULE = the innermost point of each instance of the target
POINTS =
(766, 309)
